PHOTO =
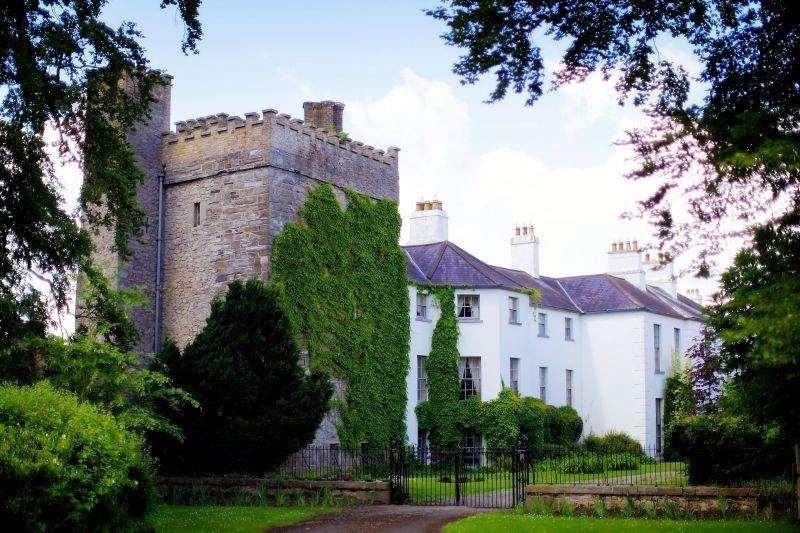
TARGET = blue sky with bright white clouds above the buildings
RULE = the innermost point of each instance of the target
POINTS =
(557, 164)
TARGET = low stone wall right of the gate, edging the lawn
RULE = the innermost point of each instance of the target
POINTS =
(652, 501)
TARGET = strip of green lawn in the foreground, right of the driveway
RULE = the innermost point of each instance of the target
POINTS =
(506, 521)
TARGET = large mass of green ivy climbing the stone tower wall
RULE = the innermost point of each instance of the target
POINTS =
(346, 288)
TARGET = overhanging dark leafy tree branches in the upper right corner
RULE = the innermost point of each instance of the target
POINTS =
(733, 156)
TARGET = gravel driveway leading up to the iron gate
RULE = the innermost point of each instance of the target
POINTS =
(393, 518)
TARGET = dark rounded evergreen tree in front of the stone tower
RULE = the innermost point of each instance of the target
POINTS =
(257, 404)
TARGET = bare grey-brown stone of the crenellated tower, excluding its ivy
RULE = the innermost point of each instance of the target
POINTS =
(229, 186)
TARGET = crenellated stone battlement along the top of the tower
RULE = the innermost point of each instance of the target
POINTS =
(222, 124)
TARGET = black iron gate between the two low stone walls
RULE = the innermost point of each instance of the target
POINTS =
(472, 477)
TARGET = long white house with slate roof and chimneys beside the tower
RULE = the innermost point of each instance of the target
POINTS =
(602, 343)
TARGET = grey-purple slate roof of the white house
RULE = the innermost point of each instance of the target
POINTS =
(446, 263)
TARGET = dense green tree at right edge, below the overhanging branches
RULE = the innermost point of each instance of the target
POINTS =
(758, 323)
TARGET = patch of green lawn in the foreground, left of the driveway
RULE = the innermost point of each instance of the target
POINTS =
(229, 519)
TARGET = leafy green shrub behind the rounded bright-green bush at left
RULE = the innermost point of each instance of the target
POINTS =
(102, 374)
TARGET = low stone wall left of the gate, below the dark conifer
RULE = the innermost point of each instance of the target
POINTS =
(183, 490)
